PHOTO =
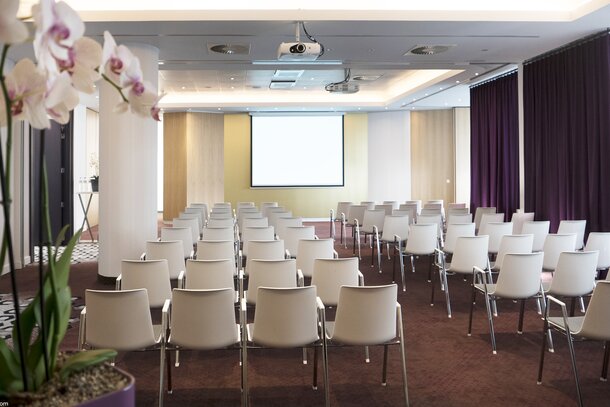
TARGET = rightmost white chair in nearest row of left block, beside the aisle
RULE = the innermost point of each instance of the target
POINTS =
(368, 316)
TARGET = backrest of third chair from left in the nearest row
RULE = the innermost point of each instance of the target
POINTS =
(285, 317)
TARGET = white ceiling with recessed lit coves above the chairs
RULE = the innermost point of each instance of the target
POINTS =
(483, 40)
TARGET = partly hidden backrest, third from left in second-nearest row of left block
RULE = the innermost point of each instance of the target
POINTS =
(270, 273)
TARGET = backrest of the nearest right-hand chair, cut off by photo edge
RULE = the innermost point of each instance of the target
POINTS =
(596, 324)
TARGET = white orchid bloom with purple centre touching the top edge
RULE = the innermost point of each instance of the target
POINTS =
(58, 27)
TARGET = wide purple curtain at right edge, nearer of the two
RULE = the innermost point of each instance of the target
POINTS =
(567, 134)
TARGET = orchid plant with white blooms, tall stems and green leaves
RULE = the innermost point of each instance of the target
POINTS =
(37, 92)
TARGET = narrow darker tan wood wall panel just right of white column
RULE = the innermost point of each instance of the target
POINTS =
(174, 164)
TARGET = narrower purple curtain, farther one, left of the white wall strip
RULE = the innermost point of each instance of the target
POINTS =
(494, 145)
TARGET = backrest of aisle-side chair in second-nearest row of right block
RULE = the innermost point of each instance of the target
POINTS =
(520, 276)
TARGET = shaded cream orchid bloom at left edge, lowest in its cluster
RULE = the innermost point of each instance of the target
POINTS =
(26, 87)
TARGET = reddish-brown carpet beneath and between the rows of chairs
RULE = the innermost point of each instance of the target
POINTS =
(445, 367)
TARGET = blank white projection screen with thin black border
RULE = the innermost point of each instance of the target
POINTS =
(296, 151)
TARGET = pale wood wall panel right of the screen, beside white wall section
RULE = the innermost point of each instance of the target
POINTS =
(432, 155)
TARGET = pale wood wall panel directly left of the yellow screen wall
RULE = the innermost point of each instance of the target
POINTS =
(205, 158)
